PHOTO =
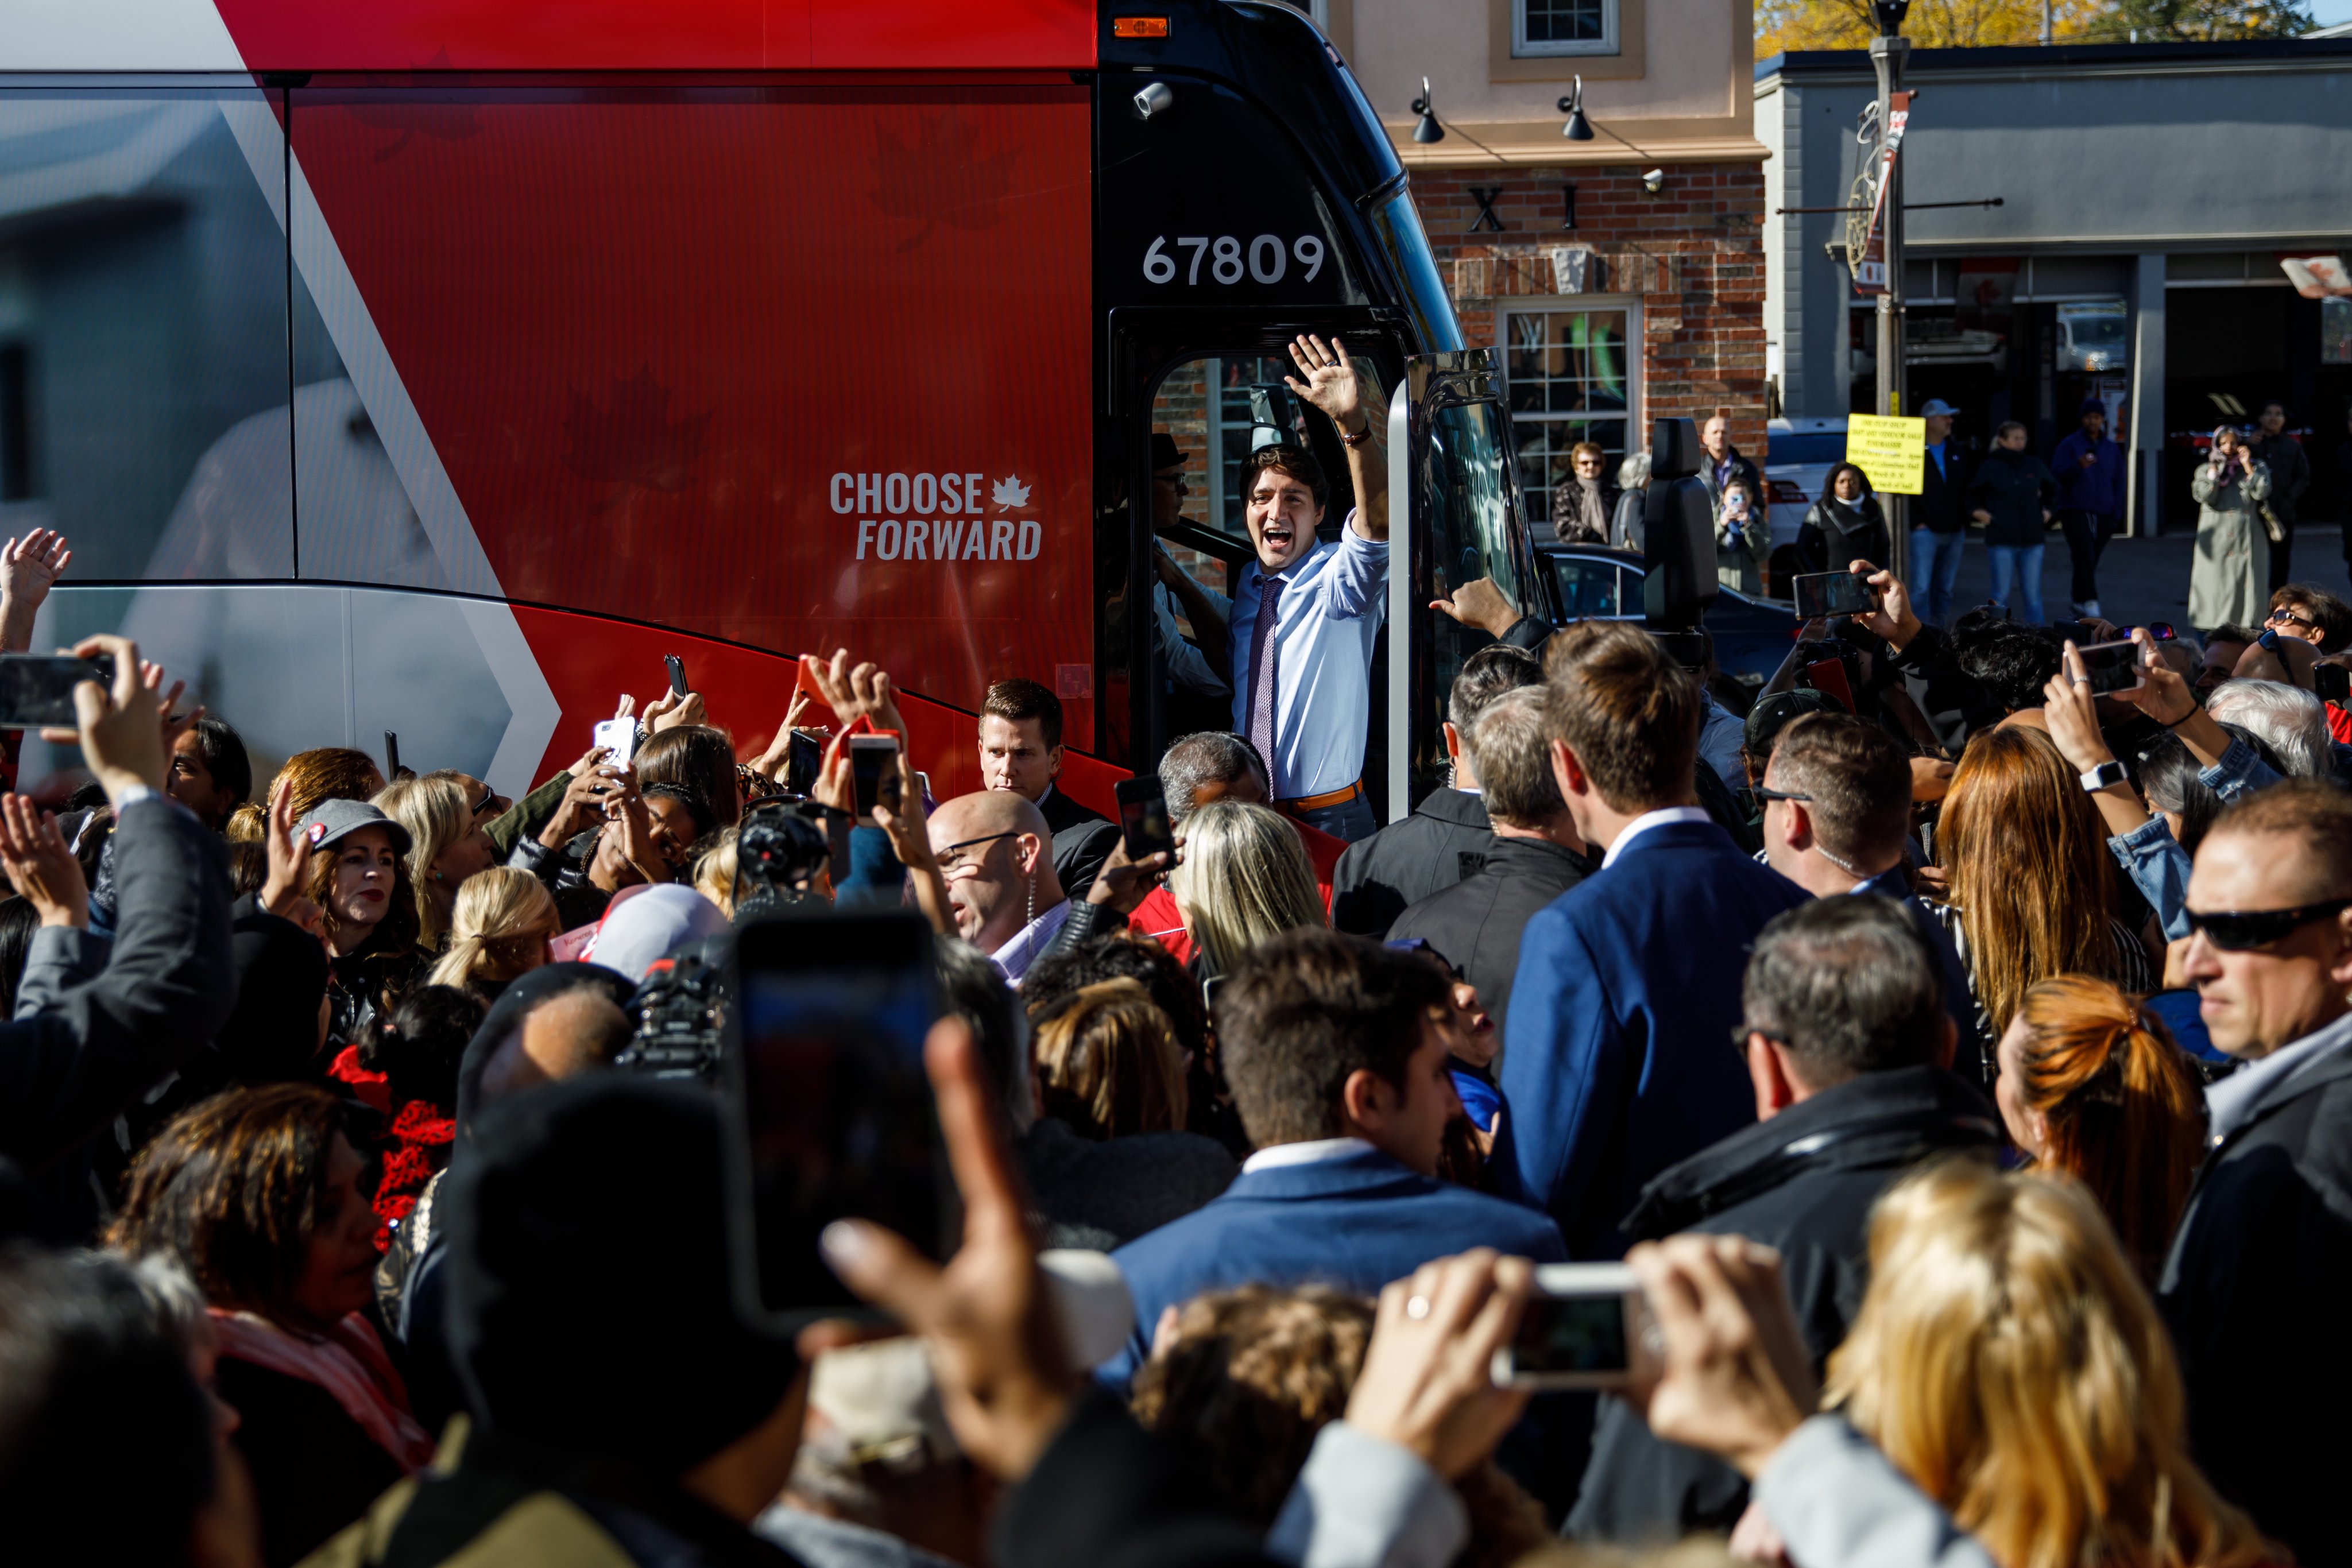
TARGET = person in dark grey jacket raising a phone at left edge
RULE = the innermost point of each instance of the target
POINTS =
(171, 981)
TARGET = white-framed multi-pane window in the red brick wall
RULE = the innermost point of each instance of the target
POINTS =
(1572, 380)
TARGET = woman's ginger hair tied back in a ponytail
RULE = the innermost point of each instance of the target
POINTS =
(2094, 1087)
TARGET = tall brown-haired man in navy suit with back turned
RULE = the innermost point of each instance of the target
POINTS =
(1617, 1059)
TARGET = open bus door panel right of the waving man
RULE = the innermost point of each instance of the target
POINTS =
(1455, 518)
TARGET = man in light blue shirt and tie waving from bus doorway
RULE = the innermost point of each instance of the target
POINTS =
(1307, 612)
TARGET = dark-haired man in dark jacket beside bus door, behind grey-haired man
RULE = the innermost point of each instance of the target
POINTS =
(1445, 838)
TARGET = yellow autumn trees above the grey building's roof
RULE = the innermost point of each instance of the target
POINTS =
(1975, 25)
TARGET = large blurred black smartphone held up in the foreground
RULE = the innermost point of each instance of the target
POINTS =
(831, 1106)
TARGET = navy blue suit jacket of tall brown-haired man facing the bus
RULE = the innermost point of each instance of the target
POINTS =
(1617, 1057)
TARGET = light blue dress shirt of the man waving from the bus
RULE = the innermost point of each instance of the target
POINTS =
(1325, 622)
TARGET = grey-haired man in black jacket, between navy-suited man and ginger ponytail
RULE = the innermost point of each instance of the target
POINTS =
(1847, 1050)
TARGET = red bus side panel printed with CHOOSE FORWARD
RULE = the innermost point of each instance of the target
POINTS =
(794, 368)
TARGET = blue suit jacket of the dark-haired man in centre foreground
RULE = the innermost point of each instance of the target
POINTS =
(1354, 1224)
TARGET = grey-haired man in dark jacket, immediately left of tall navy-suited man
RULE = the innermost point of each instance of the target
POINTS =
(1535, 859)
